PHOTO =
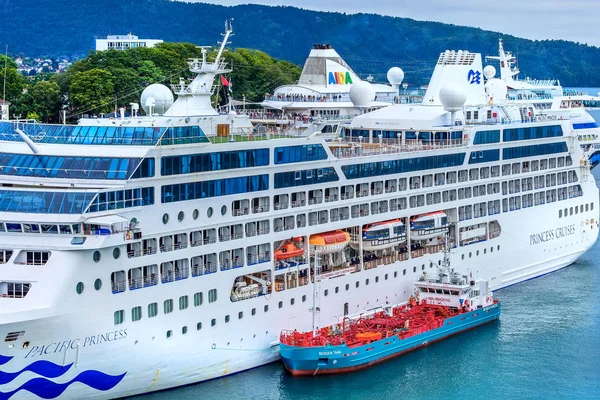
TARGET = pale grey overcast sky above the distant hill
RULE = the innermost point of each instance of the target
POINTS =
(575, 20)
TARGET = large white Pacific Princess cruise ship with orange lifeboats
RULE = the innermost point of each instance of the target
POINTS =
(147, 252)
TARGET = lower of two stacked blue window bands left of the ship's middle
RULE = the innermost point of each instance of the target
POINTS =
(214, 188)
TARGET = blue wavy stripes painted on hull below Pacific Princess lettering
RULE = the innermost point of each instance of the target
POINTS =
(47, 389)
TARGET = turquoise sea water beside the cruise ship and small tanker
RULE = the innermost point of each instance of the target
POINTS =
(546, 345)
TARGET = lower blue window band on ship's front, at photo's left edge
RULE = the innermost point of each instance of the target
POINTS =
(34, 202)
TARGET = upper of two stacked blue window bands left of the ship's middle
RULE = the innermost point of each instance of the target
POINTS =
(206, 162)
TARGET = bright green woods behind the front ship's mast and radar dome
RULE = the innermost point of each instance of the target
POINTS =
(104, 81)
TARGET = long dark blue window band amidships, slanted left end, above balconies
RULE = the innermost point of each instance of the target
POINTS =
(401, 166)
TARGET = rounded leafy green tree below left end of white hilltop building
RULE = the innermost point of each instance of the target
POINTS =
(92, 91)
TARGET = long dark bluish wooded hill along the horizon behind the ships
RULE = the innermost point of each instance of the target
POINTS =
(370, 43)
